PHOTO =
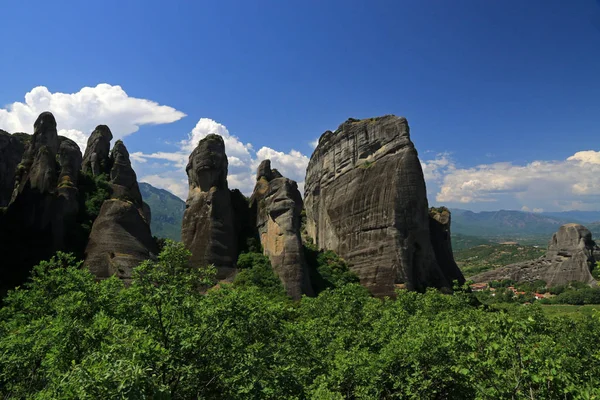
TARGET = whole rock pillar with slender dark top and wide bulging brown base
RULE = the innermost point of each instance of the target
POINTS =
(120, 238)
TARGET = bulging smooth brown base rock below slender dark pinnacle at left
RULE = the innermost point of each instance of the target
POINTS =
(120, 240)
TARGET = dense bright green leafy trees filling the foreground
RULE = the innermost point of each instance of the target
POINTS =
(168, 336)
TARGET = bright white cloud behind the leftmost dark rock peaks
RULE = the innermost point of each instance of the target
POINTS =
(77, 114)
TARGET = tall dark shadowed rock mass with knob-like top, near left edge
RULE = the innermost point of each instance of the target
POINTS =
(43, 202)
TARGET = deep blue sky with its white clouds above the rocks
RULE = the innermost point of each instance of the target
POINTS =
(503, 97)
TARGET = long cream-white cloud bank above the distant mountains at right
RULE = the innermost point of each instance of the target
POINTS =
(555, 185)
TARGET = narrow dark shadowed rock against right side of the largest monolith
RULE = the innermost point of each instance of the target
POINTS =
(439, 233)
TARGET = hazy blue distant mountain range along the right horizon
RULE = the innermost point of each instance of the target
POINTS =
(520, 226)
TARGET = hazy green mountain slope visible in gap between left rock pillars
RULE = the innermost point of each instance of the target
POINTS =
(167, 211)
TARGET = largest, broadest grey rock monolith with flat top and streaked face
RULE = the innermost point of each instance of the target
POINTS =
(365, 199)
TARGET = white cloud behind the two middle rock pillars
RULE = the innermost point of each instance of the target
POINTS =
(243, 161)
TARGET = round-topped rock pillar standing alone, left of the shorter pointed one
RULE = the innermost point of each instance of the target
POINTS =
(208, 229)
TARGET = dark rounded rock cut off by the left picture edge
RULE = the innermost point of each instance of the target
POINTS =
(11, 153)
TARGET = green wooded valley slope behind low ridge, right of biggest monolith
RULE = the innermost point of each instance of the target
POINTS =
(486, 257)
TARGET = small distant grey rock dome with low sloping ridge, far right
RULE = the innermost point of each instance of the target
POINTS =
(571, 255)
